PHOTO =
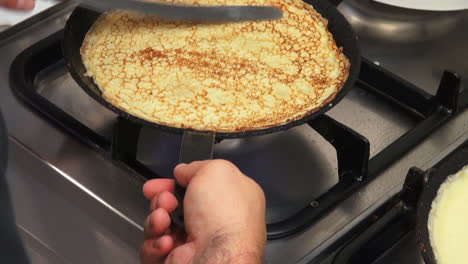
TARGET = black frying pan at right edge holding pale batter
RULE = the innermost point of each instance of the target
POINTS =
(436, 177)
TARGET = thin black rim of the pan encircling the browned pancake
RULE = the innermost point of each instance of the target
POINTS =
(334, 18)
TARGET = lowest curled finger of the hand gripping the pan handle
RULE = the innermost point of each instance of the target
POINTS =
(153, 251)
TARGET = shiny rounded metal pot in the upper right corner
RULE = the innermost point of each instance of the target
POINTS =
(399, 25)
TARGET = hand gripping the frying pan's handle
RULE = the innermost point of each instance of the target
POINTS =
(224, 213)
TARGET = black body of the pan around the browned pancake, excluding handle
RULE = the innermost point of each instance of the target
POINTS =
(82, 19)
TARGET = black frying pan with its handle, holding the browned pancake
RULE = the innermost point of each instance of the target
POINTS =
(198, 145)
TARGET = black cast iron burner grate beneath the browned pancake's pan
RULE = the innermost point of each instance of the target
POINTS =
(354, 166)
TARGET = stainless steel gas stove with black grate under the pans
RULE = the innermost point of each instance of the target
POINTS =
(76, 169)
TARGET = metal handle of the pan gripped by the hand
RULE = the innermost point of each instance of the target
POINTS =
(195, 146)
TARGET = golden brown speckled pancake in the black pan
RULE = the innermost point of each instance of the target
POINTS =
(220, 77)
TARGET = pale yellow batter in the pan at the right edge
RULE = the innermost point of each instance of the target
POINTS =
(448, 220)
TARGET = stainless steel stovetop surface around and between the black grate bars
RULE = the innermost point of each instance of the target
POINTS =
(74, 205)
